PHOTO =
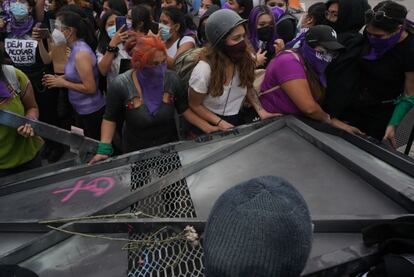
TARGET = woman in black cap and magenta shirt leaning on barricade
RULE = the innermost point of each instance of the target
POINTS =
(295, 80)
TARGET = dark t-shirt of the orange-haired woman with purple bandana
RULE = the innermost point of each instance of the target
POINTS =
(141, 129)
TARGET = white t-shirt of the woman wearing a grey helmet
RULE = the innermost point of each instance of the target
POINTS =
(233, 94)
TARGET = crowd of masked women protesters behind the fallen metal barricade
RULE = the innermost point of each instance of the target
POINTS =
(141, 73)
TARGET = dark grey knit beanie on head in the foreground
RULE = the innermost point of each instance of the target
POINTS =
(261, 227)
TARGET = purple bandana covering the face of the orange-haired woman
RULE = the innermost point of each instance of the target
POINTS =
(151, 80)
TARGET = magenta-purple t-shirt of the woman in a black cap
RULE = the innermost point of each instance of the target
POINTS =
(284, 67)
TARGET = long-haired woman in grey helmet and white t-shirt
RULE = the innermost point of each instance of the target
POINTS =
(224, 77)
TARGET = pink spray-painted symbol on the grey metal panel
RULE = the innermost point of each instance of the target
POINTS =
(98, 186)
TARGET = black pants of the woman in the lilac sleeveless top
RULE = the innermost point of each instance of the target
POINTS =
(91, 123)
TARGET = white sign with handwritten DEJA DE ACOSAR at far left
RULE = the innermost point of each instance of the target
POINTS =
(21, 51)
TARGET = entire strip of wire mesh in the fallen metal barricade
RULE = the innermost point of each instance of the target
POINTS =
(174, 201)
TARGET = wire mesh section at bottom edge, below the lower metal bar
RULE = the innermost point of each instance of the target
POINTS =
(175, 258)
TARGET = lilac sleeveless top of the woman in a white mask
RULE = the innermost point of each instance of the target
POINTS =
(81, 102)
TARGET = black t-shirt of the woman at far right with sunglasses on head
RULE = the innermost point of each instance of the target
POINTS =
(384, 79)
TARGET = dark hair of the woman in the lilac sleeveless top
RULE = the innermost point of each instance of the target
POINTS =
(81, 24)
